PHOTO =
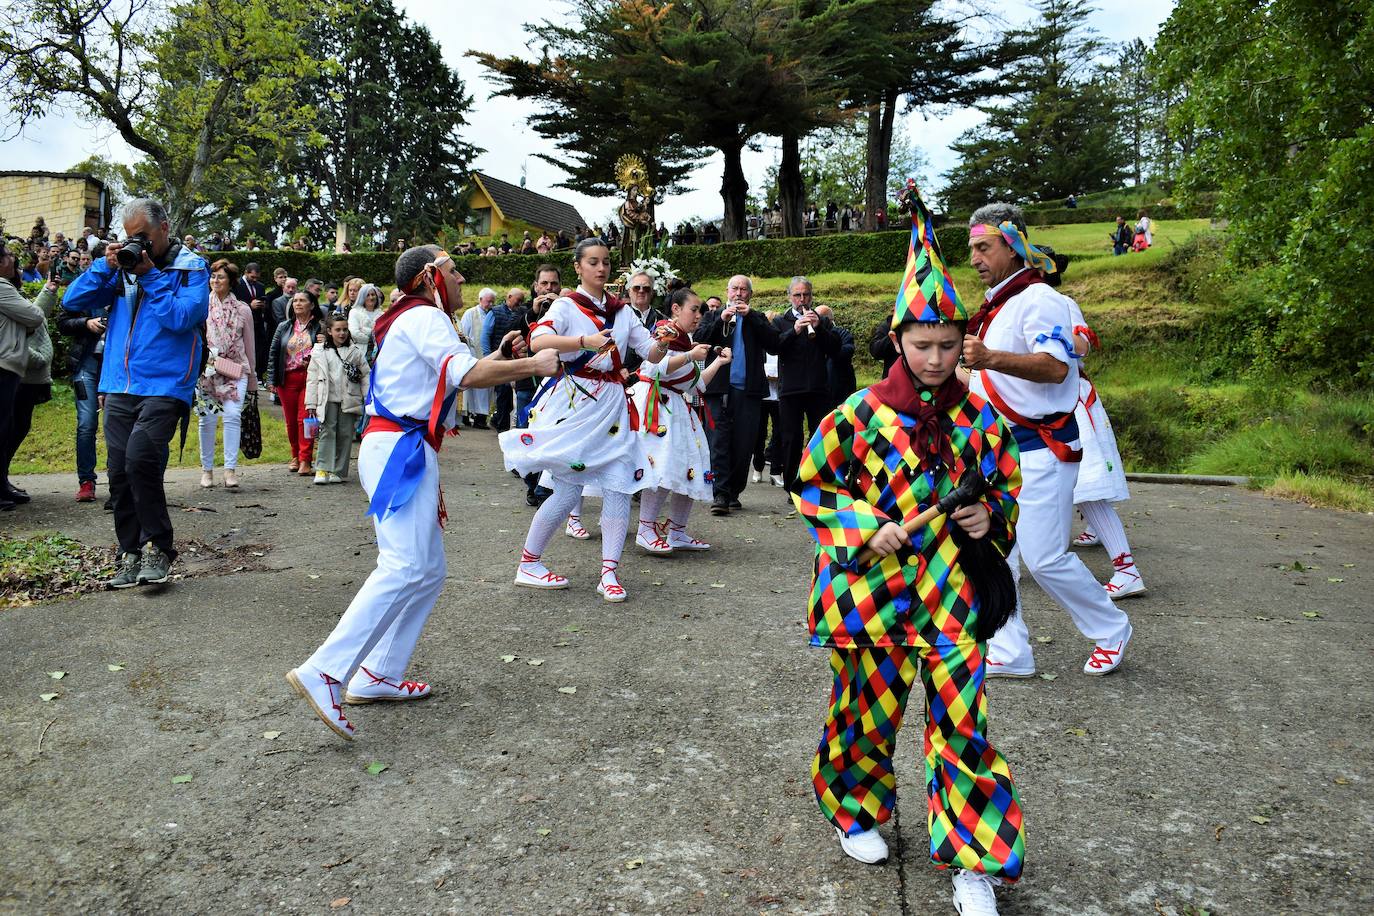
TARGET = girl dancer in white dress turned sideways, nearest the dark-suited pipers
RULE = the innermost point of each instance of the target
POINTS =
(674, 428)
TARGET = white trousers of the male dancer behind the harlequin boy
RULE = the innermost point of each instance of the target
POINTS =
(1044, 529)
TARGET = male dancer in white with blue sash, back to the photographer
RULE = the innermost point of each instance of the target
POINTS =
(421, 365)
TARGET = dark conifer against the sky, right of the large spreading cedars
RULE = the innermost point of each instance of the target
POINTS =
(1060, 135)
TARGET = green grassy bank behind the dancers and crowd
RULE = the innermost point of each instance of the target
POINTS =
(1171, 409)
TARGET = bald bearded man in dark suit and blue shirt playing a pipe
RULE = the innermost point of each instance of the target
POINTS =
(736, 398)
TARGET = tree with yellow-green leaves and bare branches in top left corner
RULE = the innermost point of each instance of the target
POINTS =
(200, 87)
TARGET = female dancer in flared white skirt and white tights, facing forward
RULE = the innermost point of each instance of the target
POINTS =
(582, 429)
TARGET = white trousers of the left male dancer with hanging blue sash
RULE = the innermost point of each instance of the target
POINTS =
(384, 623)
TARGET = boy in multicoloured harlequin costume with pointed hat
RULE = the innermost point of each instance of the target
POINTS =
(912, 617)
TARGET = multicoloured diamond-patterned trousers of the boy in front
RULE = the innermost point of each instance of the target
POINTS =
(975, 814)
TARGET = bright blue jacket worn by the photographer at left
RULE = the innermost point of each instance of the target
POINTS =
(153, 344)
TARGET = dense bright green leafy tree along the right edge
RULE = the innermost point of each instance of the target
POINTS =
(1279, 98)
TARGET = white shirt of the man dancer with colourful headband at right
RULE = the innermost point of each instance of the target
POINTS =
(1035, 321)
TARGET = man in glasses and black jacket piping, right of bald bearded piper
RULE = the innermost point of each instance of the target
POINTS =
(806, 344)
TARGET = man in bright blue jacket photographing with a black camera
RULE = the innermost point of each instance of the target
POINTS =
(157, 297)
